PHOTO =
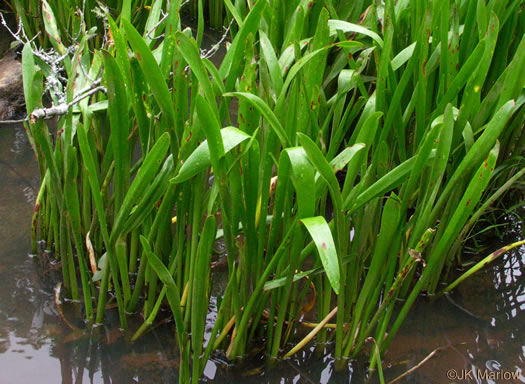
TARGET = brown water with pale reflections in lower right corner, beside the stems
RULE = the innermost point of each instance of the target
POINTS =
(479, 328)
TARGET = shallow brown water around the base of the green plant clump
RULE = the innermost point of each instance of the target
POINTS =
(480, 327)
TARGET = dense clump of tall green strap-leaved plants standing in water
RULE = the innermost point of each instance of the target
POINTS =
(365, 142)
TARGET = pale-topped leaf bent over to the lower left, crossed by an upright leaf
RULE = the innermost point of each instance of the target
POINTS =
(200, 158)
